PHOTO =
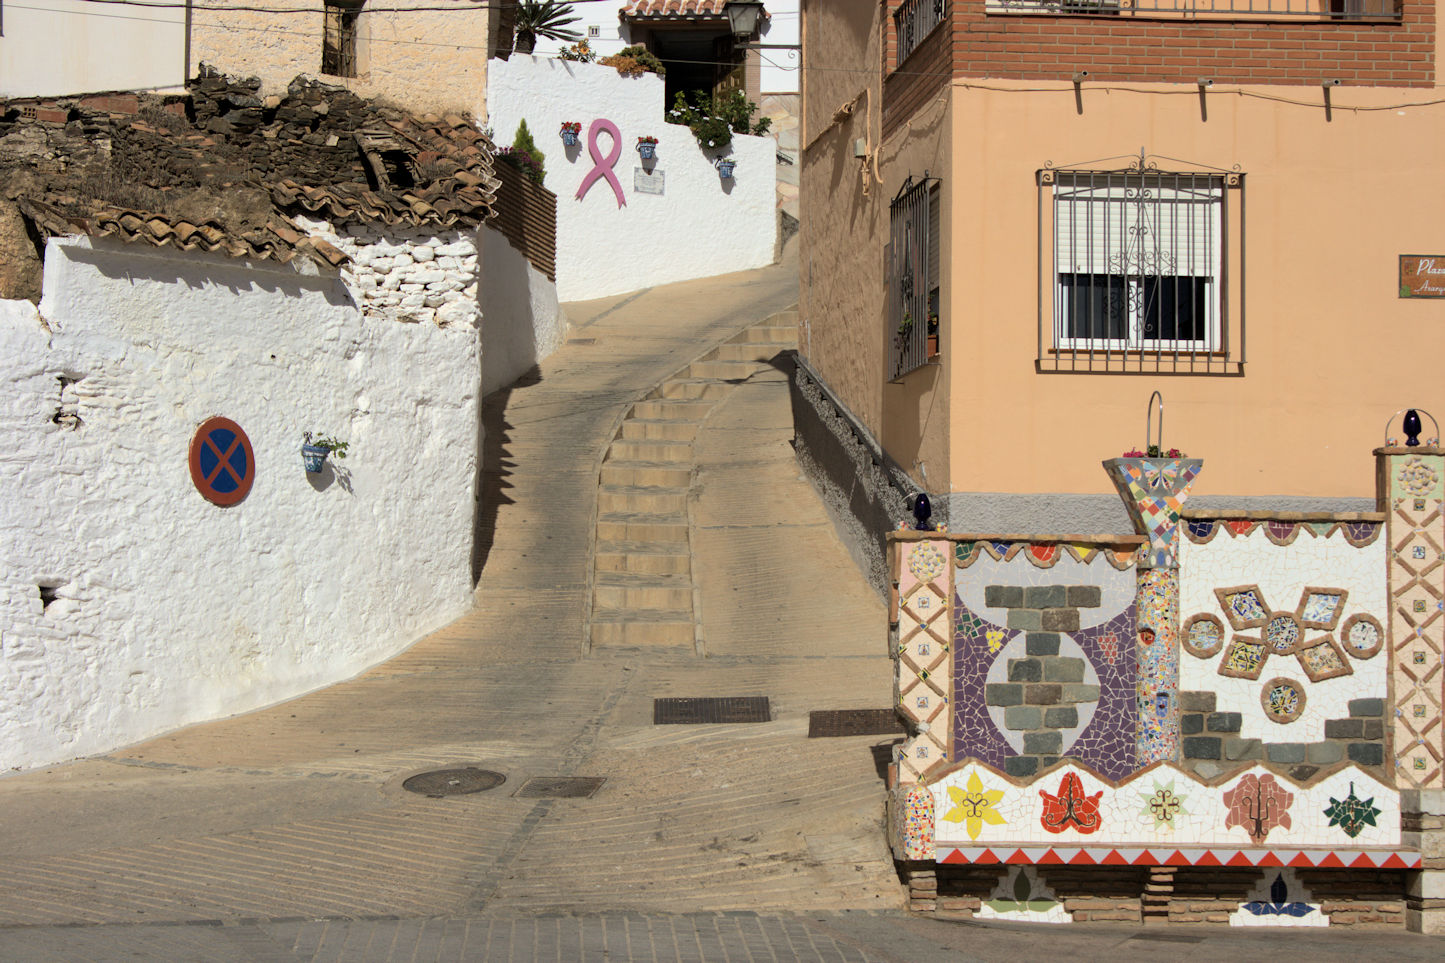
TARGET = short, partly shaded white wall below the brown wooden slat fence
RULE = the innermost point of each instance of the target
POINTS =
(522, 322)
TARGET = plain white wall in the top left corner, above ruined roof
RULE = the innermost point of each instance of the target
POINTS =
(70, 47)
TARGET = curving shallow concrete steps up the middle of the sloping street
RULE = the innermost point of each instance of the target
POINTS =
(642, 575)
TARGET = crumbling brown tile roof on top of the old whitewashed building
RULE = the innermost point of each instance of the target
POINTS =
(223, 170)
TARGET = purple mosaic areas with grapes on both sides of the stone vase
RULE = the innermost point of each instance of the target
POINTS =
(1106, 744)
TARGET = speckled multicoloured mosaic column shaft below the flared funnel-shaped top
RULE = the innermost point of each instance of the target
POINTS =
(1157, 685)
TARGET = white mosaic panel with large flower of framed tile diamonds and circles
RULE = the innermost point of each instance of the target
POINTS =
(1282, 643)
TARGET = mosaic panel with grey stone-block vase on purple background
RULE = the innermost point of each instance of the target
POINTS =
(1044, 656)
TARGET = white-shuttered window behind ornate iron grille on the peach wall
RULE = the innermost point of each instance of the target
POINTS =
(1138, 264)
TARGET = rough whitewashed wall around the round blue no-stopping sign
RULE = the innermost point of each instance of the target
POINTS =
(170, 609)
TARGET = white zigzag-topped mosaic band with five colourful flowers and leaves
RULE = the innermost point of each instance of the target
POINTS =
(1165, 808)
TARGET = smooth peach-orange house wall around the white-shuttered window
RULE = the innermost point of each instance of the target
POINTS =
(1332, 349)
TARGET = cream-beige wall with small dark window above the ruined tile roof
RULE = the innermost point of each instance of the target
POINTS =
(428, 60)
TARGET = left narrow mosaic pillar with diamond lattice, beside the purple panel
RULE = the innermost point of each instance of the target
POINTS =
(924, 573)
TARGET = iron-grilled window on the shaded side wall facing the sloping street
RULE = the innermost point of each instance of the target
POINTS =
(915, 277)
